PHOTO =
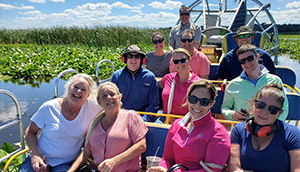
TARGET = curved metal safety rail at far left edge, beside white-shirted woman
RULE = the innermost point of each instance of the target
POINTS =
(17, 121)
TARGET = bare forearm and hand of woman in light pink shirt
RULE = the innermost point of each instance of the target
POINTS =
(135, 150)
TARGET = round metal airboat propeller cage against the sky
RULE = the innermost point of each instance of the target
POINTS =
(219, 16)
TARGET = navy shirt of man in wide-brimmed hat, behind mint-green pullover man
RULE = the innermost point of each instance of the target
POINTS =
(231, 68)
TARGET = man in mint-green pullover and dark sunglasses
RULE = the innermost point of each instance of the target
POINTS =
(243, 88)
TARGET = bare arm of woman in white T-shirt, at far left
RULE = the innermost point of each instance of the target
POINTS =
(37, 159)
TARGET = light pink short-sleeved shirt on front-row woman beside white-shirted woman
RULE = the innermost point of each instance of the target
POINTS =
(127, 130)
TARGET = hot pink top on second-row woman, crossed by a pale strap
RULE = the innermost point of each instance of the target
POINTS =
(179, 97)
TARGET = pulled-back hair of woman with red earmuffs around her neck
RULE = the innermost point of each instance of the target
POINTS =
(275, 90)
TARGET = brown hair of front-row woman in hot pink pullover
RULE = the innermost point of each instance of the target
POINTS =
(202, 83)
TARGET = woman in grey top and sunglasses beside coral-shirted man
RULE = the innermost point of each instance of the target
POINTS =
(157, 61)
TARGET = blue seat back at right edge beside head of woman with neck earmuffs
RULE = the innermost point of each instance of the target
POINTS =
(294, 107)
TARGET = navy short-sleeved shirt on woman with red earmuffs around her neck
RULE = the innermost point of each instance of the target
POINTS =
(275, 157)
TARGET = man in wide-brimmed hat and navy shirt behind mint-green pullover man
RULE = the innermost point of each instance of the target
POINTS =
(230, 66)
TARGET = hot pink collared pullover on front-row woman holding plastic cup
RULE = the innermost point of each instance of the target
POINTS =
(207, 141)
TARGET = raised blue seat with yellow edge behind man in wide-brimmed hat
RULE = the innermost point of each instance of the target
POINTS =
(229, 44)
